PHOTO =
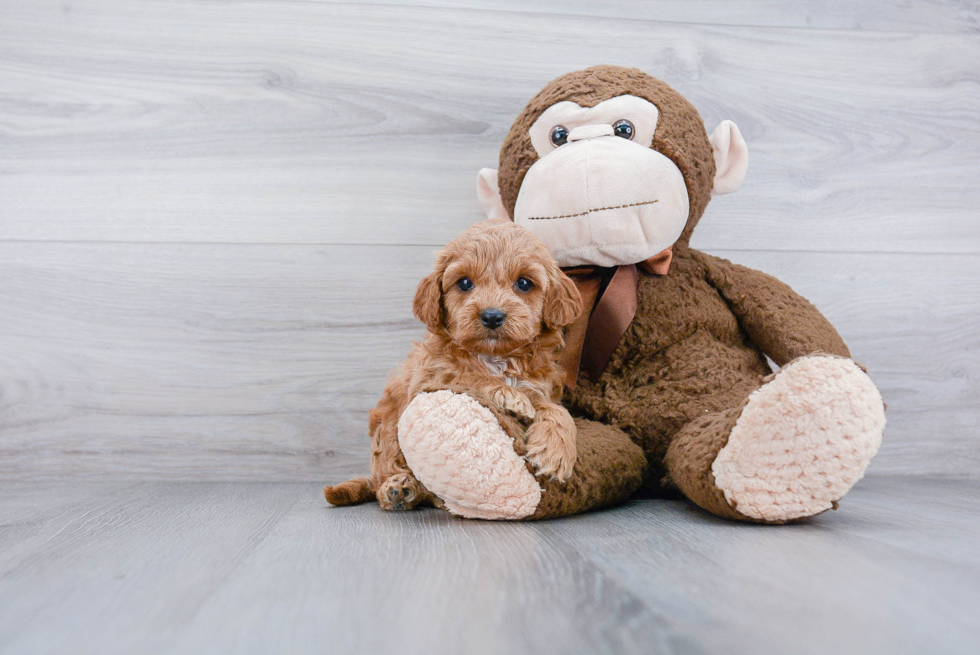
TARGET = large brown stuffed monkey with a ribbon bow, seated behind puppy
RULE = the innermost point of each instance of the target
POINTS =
(612, 169)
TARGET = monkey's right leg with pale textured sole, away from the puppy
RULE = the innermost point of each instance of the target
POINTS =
(798, 444)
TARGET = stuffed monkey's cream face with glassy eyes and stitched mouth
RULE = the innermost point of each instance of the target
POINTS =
(599, 194)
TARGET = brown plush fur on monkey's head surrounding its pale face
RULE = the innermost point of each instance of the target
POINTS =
(680, 131)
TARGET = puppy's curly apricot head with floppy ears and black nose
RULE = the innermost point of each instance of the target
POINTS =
(494, 288)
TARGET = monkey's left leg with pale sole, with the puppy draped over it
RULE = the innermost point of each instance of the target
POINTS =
(472, 455)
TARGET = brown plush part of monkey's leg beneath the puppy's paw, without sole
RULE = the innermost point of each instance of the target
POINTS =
(609, 469)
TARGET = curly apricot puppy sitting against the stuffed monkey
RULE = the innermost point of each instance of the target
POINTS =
(494, 306)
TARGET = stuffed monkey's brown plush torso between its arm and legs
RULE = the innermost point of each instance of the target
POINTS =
(683, 356)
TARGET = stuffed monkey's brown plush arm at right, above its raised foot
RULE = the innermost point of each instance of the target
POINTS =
(781, 322)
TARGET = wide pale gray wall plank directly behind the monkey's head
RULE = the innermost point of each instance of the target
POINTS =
(307, 122)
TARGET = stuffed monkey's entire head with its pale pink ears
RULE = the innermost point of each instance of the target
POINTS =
(609, 166)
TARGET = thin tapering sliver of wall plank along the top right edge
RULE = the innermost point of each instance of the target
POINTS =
(887, 15)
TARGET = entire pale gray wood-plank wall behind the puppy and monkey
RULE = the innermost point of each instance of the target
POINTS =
(213, 214)
